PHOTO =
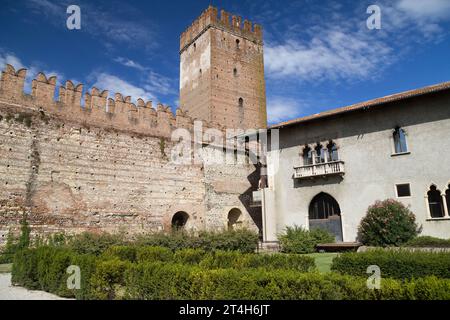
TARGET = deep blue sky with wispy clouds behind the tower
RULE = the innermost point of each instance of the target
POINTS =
(318, 54)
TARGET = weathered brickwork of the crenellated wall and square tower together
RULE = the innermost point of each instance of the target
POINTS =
(99, 162)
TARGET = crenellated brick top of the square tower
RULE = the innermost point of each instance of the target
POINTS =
(210, 19)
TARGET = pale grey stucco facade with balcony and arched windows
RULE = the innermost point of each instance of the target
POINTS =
(369, 168)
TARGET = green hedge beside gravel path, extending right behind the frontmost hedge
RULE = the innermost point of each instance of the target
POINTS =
(44, 268)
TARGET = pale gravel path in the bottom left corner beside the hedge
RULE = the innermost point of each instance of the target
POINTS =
(8, 292)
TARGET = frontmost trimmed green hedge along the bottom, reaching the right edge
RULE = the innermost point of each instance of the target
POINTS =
(158, 281)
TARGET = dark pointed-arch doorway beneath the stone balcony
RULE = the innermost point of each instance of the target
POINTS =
(325, 213)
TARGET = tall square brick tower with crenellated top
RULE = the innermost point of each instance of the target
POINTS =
(222, 71)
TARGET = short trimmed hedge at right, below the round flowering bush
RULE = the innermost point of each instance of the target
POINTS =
(397, 264)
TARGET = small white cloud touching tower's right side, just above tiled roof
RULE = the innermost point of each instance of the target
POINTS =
(280, 109)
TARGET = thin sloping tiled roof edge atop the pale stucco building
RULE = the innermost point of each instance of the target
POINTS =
(366, 104)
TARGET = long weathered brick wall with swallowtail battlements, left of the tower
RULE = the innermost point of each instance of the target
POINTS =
(104, 165)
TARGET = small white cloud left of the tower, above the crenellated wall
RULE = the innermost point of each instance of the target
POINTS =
(106, 81)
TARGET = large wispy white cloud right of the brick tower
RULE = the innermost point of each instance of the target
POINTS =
(331, 54)
